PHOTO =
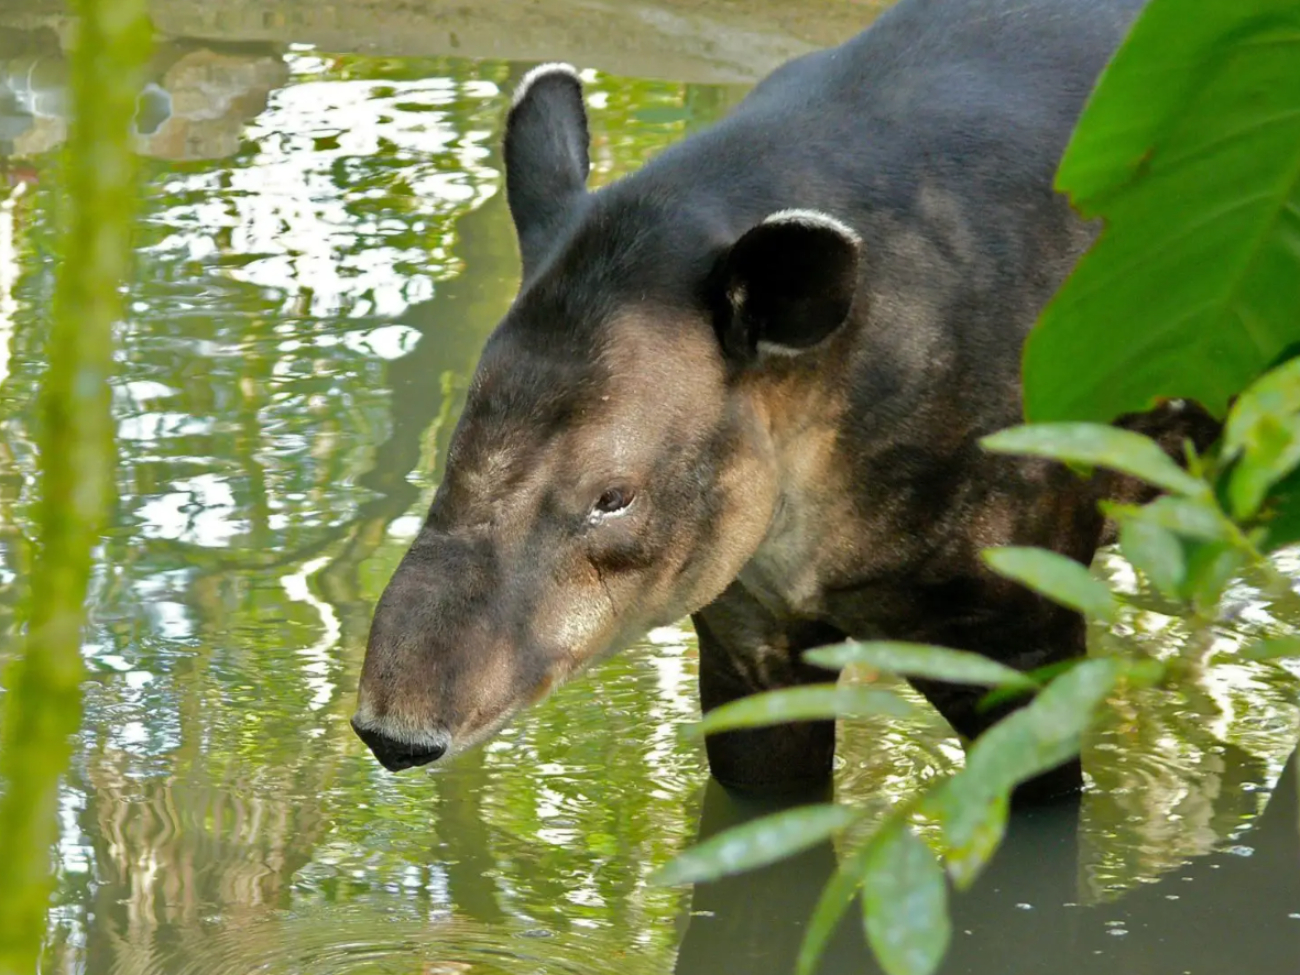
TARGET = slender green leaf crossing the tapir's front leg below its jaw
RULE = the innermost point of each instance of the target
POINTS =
(812, 703)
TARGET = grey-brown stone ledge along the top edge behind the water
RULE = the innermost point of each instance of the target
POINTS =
(696, 41)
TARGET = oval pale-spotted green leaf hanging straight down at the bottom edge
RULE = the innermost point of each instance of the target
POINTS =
(905, 903)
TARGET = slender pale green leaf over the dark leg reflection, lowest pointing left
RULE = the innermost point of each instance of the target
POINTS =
(757, 844)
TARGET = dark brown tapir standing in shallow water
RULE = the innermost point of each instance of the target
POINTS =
(748, 384)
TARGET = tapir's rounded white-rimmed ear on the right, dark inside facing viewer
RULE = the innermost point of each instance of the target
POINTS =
(786, 284)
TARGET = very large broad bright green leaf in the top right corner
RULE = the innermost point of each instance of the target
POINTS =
(1190, 149)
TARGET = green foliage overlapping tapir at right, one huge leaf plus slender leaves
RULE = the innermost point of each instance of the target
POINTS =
(1190, 151)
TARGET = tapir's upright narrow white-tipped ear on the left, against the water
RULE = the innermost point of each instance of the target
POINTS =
(547, 155)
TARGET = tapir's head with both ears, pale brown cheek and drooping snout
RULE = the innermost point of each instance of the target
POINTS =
(616, 466)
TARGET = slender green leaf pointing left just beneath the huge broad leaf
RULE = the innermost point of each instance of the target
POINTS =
(1098, 445)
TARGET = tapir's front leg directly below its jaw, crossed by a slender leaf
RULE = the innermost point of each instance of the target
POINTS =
(744, 649)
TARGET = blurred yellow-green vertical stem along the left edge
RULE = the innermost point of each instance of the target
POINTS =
(42, 705)
